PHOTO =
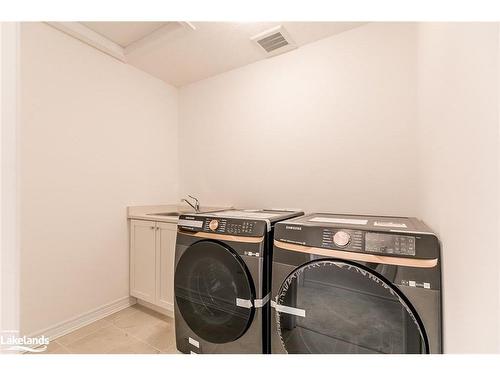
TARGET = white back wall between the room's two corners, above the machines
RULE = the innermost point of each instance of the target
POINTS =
(329, 126)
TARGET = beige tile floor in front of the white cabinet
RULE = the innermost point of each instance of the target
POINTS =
(134, 330)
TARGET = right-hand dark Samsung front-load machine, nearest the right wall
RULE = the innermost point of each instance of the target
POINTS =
(355, 284)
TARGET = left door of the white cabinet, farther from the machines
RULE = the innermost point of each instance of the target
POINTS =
(142, 259)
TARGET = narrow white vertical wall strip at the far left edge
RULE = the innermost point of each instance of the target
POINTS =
(9, 207)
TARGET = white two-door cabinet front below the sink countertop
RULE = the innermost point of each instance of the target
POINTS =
(152, 251)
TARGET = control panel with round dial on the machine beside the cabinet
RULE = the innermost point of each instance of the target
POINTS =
(229, 226)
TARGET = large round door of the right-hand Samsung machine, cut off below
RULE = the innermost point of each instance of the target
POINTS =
(333, 306)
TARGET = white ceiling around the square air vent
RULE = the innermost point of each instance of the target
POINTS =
(181, 53)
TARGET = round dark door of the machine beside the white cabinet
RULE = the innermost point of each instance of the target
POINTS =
(209, 280)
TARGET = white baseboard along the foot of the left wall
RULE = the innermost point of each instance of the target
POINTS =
(70, 325)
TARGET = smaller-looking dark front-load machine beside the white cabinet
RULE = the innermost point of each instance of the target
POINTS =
(222, 283)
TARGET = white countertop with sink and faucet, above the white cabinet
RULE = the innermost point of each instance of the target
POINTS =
(147, 212)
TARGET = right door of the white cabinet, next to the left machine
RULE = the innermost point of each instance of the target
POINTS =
(165, 255)
